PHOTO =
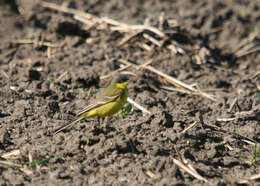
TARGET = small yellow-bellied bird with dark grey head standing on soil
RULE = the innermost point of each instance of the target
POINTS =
(108, 103)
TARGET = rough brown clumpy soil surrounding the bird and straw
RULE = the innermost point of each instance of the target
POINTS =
(43, 87)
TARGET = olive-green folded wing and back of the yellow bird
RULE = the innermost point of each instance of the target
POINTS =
(109, 95)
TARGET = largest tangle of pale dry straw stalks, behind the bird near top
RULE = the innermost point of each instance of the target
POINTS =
(131, 30)
